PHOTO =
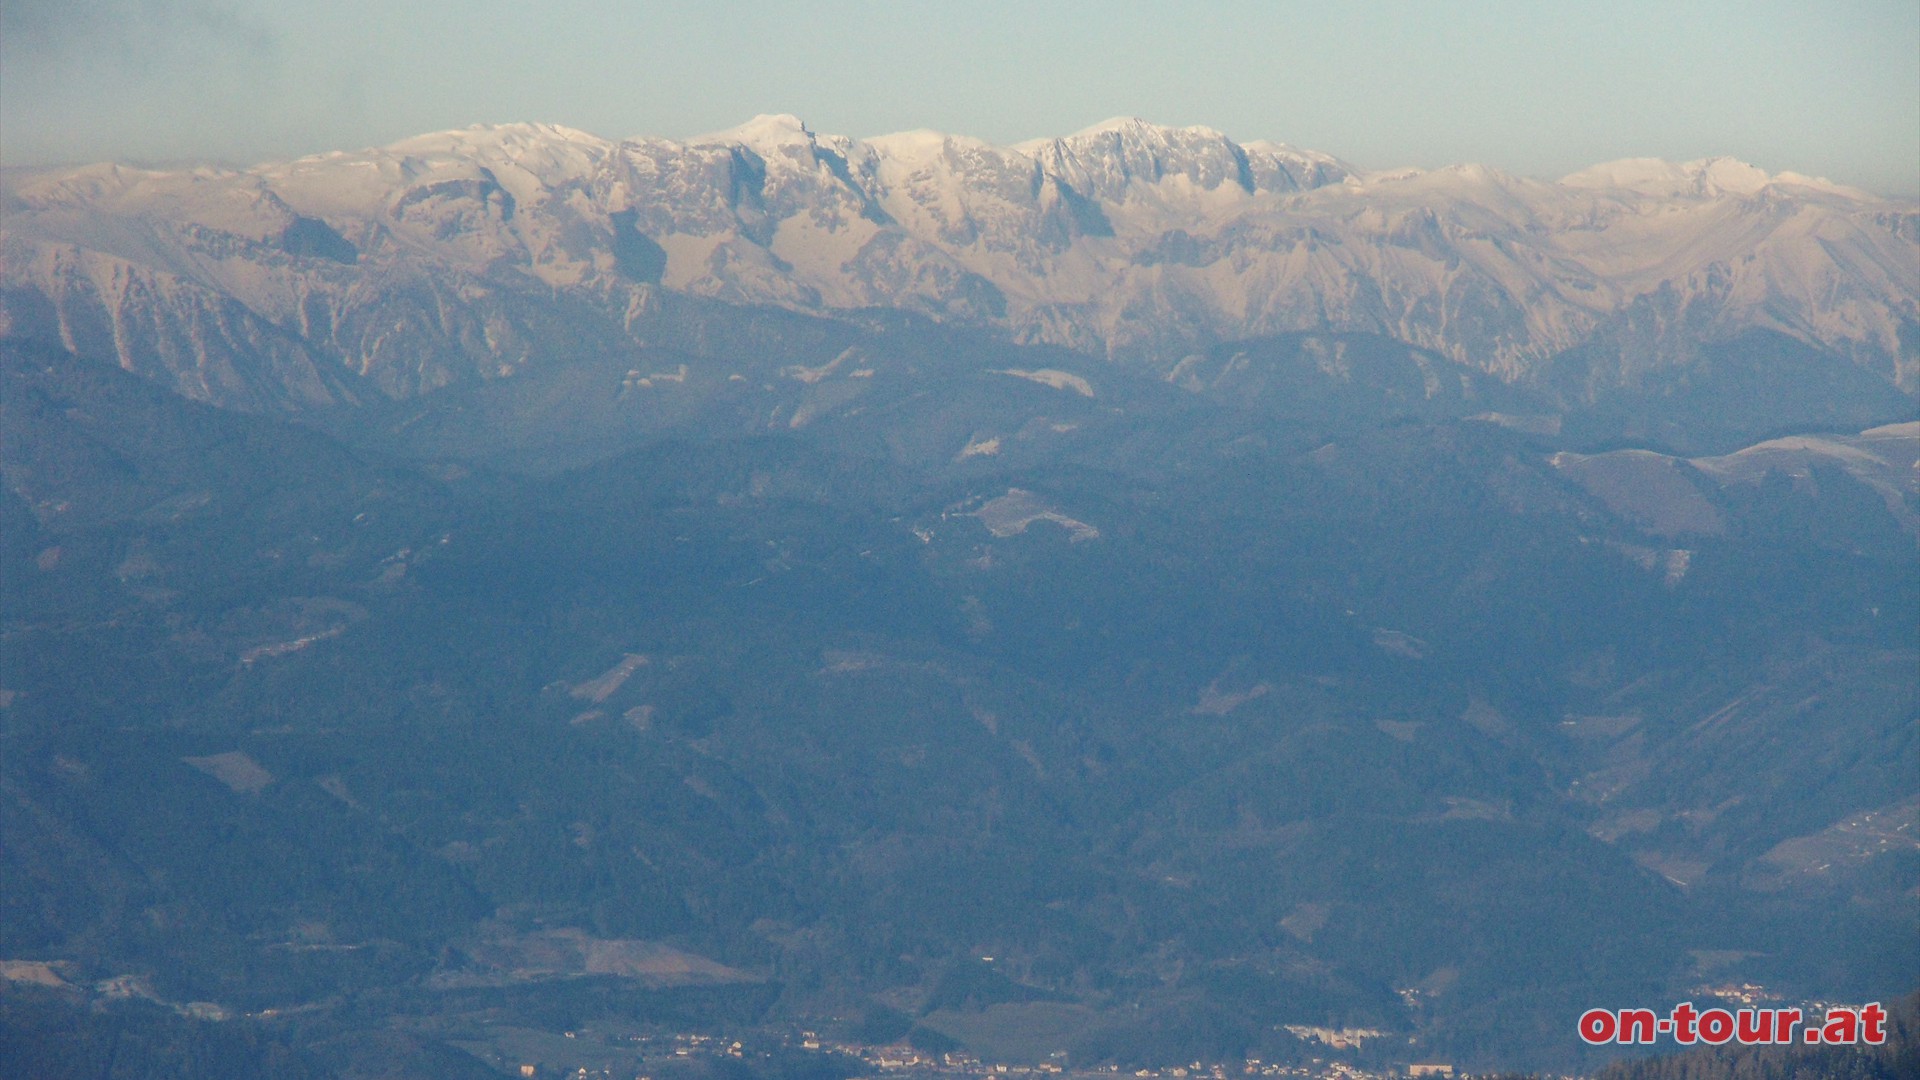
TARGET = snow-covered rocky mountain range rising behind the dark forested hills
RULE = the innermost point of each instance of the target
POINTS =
(471, 255)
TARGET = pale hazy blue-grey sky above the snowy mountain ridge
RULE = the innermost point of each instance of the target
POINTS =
(1541, 89)
